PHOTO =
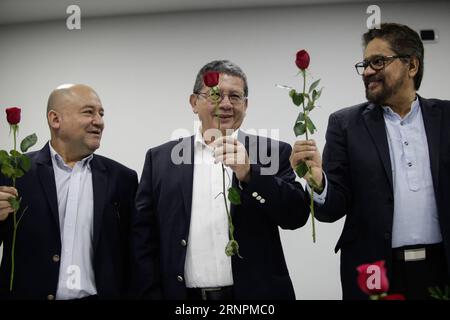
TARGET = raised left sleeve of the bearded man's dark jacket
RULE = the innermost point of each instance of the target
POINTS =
(336, 167)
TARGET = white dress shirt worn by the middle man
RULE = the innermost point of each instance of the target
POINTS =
(206, 264)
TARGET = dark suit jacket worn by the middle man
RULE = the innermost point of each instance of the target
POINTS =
(163, 204)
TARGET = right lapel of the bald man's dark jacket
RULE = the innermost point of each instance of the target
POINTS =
(100, 187)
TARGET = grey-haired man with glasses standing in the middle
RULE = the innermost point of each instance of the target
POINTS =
(181, 228)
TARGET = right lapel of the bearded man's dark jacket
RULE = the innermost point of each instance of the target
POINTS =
(432, 121)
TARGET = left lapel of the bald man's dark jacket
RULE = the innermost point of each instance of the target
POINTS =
(47, 180)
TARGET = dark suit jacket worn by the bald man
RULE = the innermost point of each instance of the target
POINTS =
(39, 239)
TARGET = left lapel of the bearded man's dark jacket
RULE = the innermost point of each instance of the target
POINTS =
(373, 117)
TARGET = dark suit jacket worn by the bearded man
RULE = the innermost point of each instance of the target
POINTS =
(357, 164)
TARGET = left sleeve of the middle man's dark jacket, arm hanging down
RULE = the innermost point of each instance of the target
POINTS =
(146, 282)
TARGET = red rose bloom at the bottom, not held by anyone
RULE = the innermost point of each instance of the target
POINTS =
(372, 278)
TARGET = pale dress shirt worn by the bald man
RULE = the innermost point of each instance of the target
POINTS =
(76, 211)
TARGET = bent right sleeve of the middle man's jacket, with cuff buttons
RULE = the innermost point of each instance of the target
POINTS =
(285, 201)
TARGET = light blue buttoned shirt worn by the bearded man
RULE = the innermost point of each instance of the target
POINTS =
(415, 211)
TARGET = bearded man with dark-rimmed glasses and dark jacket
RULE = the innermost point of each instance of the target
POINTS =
(386, 167)
